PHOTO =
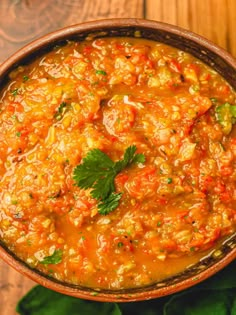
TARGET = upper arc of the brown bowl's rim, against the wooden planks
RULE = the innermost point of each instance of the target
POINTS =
(97, 25)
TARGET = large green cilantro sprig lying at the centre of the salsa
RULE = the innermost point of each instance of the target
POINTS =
(98, 171)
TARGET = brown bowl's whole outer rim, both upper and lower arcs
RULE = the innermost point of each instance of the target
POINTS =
(93, 27)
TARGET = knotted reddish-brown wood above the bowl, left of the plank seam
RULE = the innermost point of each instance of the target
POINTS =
(21, 21)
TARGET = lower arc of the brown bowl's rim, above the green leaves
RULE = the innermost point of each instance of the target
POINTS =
(100, 296)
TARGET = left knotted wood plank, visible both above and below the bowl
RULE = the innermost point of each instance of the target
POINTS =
(21, 21)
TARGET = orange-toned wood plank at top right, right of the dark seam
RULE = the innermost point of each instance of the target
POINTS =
(213, 19)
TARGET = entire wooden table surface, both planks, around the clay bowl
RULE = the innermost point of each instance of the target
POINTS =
(23, 20)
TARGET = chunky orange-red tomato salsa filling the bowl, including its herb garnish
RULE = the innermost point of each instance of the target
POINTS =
(138, 217)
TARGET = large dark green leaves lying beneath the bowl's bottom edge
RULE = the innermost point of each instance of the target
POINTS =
(215, 296)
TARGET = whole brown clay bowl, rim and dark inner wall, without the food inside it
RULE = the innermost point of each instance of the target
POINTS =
(198, 46)
